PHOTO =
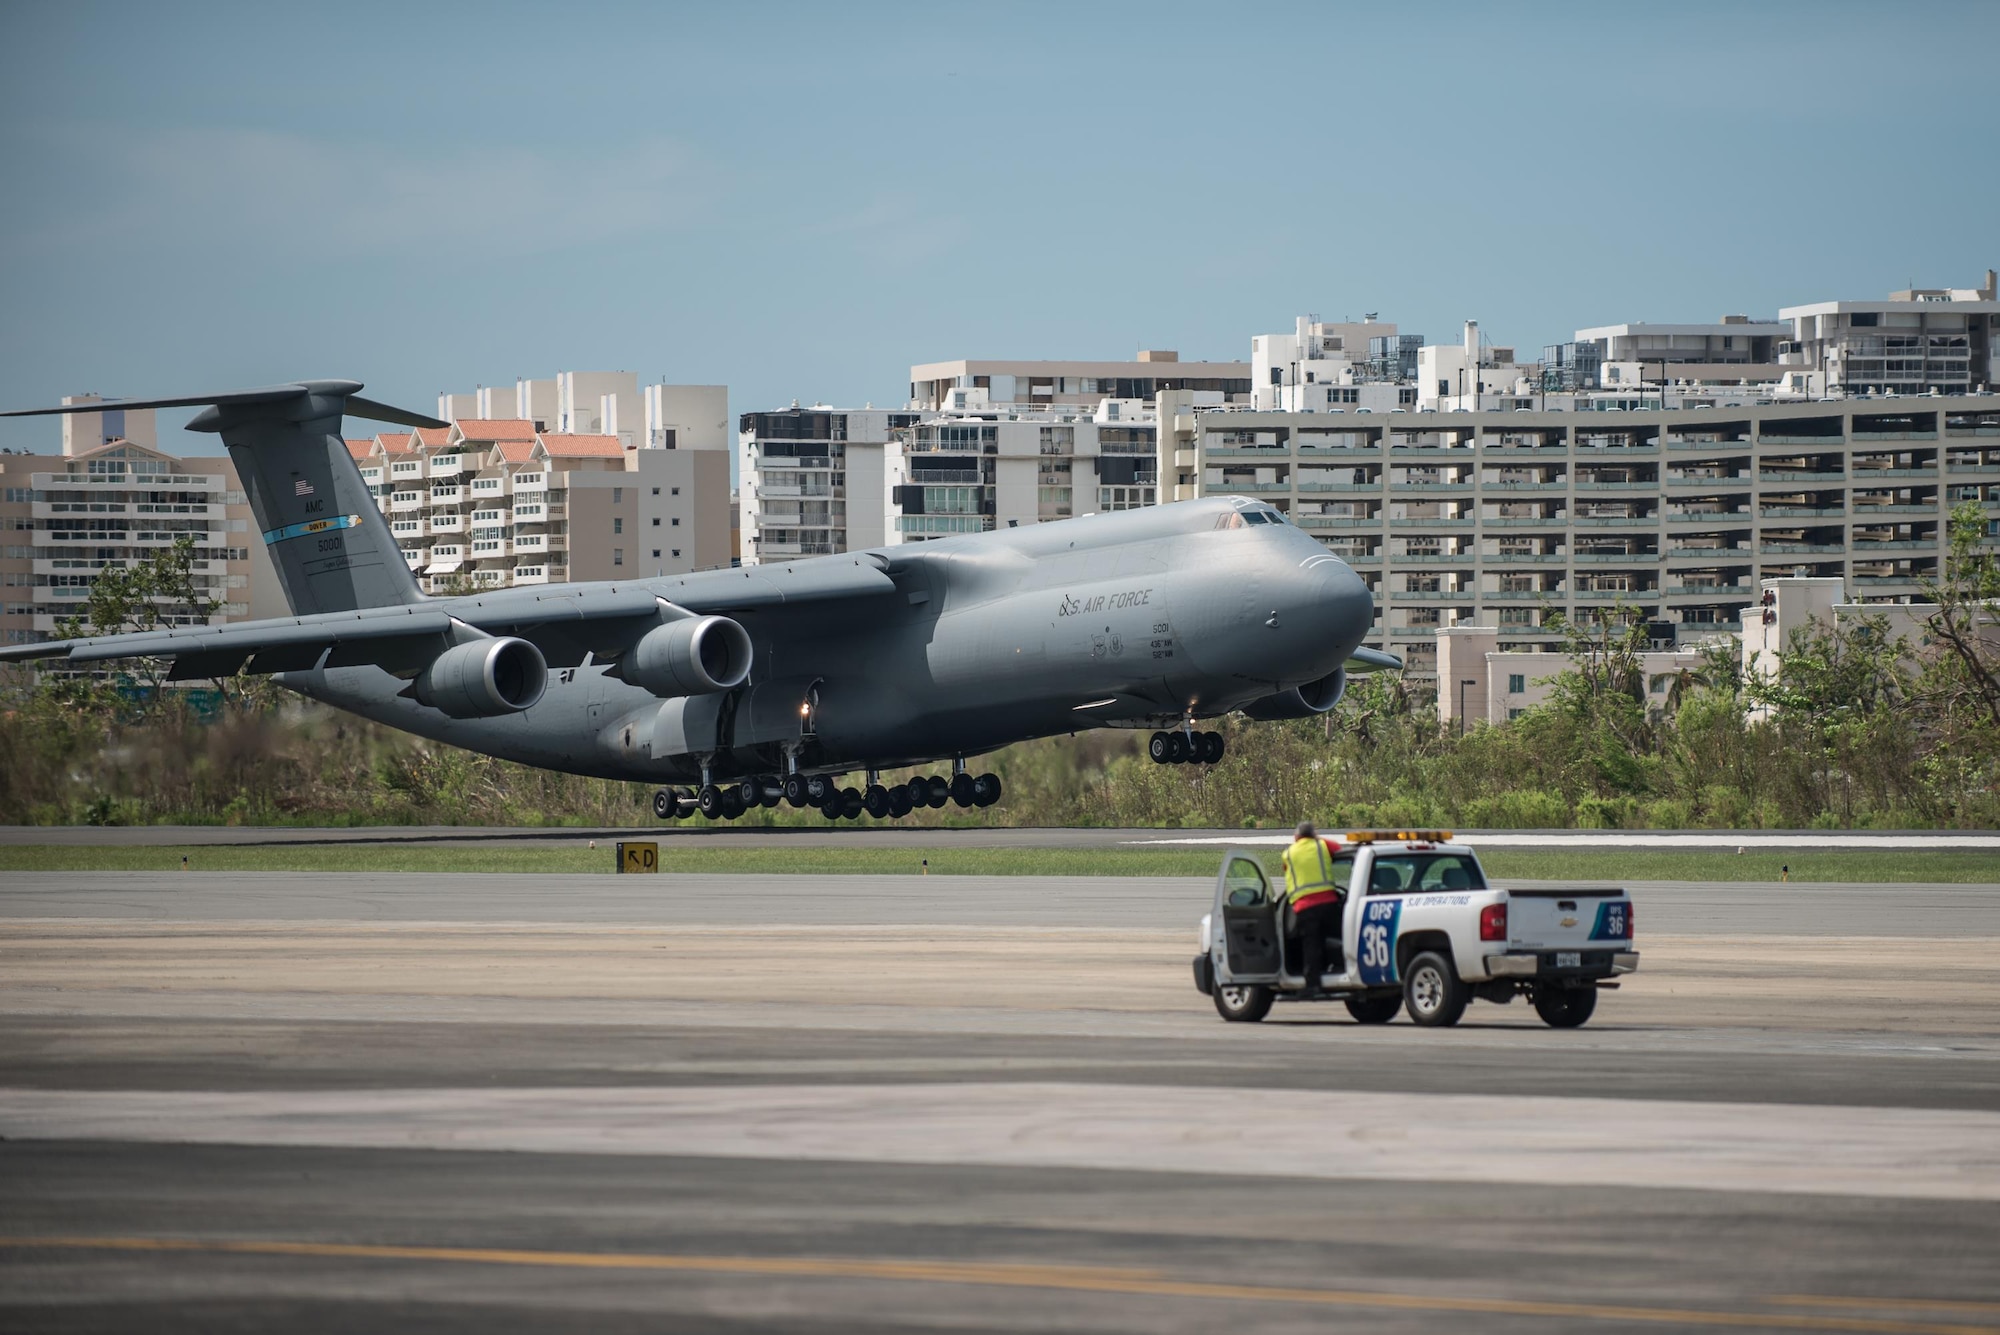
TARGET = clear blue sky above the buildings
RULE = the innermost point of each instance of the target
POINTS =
(803, 201)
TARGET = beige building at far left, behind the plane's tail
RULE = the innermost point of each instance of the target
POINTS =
(113, 499)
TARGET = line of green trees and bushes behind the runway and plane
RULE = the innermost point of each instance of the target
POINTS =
(1857, 728)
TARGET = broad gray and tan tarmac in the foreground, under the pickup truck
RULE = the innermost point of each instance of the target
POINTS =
(975, 1104)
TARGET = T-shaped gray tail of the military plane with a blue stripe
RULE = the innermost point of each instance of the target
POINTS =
(327, 539)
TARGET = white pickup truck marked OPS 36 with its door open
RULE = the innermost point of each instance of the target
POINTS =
(1421, 930)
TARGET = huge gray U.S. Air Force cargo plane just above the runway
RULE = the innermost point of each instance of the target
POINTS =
(737, 688)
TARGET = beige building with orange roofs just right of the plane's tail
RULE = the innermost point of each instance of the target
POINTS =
(497, 503)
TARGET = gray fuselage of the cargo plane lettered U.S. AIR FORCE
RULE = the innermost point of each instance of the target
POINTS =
(1135, 619)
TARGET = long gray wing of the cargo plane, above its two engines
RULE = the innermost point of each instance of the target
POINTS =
(565, 623)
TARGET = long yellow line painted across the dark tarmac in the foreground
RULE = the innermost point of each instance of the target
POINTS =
(1055, 1278)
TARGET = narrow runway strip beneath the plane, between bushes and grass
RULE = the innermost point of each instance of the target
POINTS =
(703, 834)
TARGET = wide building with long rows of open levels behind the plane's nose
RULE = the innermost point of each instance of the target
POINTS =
(1491, 519)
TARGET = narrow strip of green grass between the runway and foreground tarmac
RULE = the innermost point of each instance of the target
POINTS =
(1605, 866)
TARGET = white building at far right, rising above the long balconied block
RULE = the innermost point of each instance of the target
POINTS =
(1923, 341)
